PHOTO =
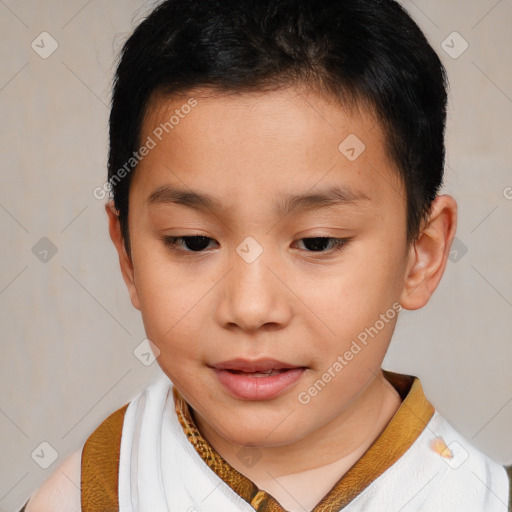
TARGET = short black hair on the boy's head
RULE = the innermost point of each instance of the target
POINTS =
(364, 52)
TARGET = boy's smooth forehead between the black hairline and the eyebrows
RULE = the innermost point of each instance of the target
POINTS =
(246, 148)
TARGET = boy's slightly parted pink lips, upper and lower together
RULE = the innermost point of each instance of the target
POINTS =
(261, 379)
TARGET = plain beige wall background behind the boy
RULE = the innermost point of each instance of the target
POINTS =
(68, 328)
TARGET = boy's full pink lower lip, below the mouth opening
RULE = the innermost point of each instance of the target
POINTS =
(247, 387)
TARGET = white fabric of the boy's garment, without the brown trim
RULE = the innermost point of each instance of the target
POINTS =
(160, 470)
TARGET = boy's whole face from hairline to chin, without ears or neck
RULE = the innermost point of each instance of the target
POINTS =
(258, 287)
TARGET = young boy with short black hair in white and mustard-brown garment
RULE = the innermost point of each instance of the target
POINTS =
(275, 169)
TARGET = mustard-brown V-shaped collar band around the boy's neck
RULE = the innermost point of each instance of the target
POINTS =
(401, 432)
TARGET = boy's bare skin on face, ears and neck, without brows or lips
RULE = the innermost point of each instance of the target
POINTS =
(294, 304)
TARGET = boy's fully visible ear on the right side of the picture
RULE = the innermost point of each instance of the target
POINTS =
(429, 254)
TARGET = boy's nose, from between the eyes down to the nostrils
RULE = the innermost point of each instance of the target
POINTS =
(253, 295)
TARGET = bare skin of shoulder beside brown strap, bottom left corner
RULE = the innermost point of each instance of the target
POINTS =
(61, 491)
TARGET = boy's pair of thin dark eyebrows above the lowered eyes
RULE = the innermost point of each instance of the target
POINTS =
(332, 196)
